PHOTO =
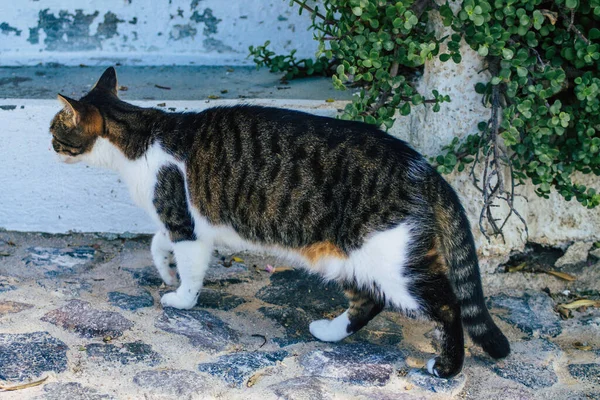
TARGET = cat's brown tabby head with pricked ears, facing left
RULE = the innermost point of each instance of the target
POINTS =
(79, 124)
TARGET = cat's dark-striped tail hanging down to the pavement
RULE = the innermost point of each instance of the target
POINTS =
(458, 248)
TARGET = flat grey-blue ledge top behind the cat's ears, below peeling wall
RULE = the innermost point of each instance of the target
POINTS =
(163, 83)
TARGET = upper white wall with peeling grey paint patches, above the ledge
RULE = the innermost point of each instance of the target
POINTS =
(147, 32)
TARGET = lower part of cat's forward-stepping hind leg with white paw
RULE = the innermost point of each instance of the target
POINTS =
(363, 308)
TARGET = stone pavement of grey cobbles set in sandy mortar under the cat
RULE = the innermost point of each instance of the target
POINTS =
(83, 311)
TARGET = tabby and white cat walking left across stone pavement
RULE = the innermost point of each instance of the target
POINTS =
(339, 198)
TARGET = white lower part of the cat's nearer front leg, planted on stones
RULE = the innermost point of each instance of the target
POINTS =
(192, 258)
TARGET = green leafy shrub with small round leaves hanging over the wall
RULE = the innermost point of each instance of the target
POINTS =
(543, 59)
